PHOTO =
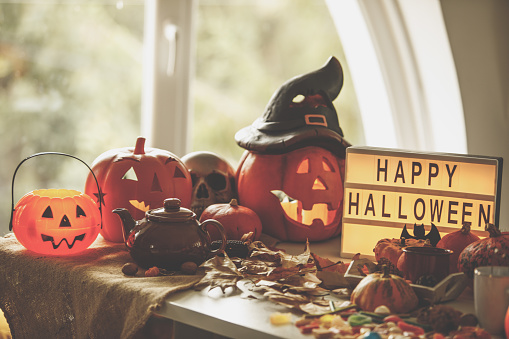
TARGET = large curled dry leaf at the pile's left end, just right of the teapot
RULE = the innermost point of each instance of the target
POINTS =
(219, 272)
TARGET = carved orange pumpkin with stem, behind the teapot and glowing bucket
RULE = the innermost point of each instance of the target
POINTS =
(138, 179)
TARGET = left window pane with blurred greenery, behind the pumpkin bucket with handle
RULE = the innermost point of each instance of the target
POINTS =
(70, 81)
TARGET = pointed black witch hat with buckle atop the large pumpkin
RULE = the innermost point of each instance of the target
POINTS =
(299, 114)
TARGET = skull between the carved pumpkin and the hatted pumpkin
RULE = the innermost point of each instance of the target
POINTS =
(213, 180)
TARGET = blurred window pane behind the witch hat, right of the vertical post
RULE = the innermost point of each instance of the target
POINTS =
(245, 51)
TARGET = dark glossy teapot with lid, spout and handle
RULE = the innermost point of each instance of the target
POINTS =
(168, 236)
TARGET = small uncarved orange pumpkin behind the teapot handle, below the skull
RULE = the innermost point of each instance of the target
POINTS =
(236, 220)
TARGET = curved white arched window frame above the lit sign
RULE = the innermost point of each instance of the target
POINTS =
(403, 72)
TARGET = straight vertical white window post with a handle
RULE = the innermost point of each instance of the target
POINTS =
(168, 68)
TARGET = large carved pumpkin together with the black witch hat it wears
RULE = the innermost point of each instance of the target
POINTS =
(292, 172)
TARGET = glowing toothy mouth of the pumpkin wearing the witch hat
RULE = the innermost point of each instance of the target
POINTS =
(293, 210)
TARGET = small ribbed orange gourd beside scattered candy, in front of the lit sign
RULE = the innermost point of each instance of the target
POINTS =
(378, 289)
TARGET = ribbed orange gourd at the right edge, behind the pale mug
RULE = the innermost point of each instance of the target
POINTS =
(491, 251)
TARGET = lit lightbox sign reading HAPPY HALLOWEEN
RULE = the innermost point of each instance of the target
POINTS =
(386, 189)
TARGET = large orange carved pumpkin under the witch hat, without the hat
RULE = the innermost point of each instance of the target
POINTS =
(298, 195)
